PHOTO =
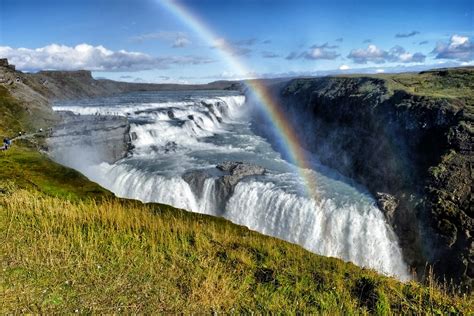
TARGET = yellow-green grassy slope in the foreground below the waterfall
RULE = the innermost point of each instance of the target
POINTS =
(67, 245)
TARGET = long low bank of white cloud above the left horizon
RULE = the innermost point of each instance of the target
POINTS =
(85, 56)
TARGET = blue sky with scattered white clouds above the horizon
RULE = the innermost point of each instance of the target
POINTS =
(145, 41)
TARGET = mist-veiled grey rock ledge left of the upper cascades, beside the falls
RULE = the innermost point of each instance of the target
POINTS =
(89, 138)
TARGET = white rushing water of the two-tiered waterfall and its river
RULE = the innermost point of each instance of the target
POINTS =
(174, 133)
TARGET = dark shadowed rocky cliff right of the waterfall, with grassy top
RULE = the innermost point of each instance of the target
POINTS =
(412, 150)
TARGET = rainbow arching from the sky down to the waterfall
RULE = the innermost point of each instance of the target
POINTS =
(291, 143)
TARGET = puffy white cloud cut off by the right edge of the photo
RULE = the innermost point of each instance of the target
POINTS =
(459, 48)
